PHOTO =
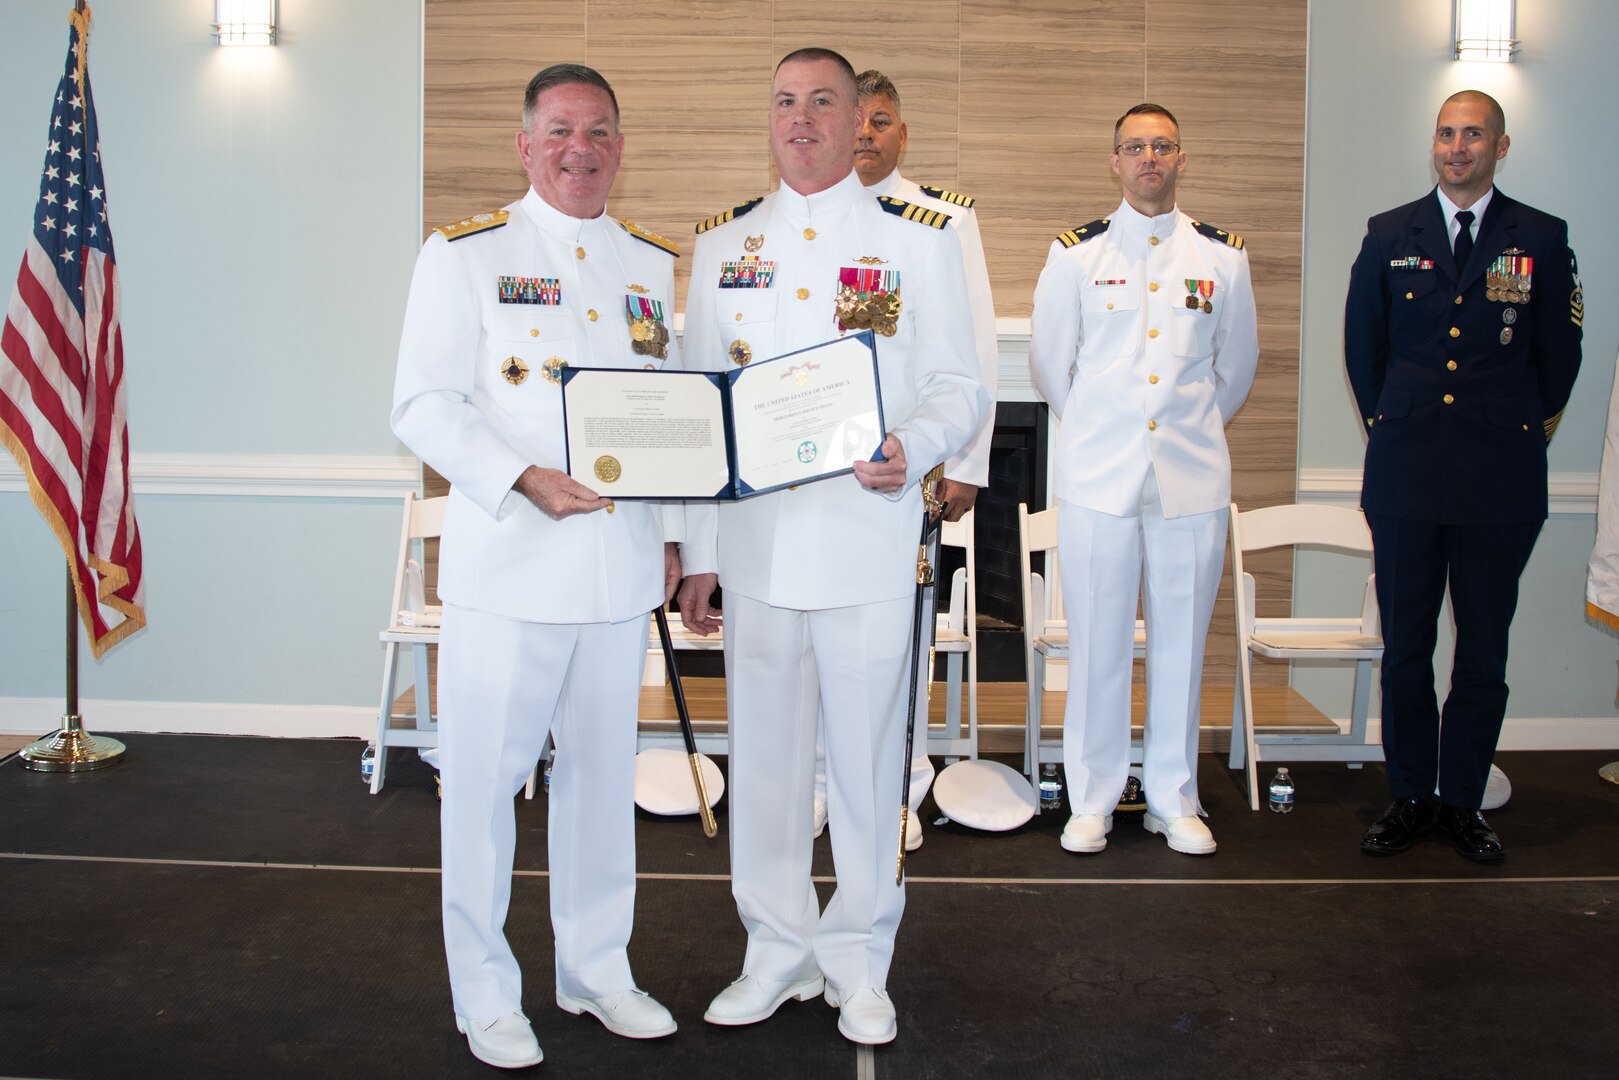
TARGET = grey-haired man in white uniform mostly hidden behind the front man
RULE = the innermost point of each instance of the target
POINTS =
(883, 138)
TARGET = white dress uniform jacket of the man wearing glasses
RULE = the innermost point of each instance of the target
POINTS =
(1139, 380)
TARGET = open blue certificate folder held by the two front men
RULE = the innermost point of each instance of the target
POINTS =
(725, 435)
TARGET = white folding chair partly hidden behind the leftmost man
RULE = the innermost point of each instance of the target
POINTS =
(414, 624)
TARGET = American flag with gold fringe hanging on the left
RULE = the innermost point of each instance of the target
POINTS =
(62, 398)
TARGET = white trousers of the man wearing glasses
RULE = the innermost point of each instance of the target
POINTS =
(1103, 559)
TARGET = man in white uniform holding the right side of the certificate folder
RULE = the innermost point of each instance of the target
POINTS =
(820, 580)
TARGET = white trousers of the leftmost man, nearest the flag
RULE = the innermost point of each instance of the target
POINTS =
(503, 686)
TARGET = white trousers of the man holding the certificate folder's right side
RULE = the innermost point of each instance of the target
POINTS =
(784, 670)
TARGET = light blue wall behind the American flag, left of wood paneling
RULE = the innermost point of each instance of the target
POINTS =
(266, 206)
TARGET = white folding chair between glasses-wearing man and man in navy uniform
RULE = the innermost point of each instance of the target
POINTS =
(1356, 639)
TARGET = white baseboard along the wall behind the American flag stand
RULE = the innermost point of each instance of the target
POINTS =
(38, 716)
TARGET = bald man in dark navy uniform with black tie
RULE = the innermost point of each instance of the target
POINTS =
(1463, 341)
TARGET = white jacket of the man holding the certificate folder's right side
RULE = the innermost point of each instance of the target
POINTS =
(833, 543)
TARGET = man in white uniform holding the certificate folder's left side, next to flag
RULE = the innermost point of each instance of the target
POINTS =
(546, 587)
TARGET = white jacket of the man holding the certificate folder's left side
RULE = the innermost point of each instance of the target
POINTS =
(456, 406)
